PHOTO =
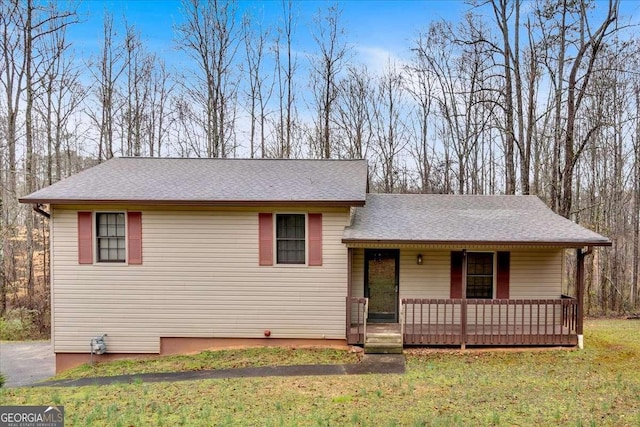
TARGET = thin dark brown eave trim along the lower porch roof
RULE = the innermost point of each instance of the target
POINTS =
(556, 244)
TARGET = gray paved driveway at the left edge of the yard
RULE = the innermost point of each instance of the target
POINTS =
(25, 363)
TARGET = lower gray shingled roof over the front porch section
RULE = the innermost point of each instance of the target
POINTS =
(464, 220)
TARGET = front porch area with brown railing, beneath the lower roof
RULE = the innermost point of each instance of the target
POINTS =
(400, 291)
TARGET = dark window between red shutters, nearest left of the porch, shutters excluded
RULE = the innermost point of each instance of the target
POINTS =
(290, 238)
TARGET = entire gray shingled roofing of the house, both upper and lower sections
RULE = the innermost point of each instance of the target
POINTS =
(423, 218)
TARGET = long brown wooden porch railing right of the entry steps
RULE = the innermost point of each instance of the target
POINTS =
(490, 321)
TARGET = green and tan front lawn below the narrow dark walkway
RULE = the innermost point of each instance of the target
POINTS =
(597, 386)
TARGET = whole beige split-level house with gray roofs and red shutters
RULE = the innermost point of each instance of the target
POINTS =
(171, 256)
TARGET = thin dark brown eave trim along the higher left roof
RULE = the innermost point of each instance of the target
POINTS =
(243, 203)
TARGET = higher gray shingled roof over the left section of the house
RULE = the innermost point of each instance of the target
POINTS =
(212, 182)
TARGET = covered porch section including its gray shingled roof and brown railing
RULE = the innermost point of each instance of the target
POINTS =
(465, 270)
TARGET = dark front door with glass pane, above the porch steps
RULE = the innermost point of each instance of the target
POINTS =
(381, 283)
